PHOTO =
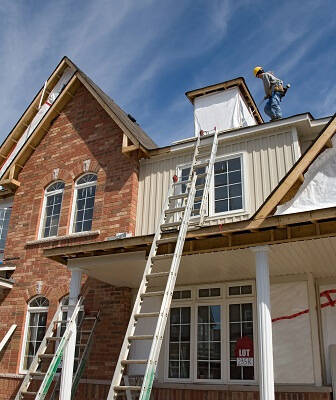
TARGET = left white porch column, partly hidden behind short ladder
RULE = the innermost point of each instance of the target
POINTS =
(69, 353)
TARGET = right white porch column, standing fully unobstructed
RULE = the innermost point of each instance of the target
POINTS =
(266, 368)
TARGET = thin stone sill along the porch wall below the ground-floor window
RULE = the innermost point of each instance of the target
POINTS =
(244, 388)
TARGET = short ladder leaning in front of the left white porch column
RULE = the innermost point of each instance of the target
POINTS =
(34, 375)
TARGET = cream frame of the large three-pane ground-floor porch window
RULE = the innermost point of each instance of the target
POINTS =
(224, 301)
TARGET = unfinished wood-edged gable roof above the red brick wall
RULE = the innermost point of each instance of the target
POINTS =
(138, 138)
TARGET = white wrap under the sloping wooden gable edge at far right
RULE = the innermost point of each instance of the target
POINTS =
(319, 187)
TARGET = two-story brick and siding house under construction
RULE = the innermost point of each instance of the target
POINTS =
(253, 310)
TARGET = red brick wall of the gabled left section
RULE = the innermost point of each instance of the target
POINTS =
(83, 131)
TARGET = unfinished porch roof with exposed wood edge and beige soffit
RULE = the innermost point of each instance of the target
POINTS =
(301, 243)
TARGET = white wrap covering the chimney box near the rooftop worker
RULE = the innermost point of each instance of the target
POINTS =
(224, 110)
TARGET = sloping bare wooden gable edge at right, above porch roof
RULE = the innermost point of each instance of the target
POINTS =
(290, 183)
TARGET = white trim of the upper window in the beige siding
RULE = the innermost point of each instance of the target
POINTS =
(211, 215)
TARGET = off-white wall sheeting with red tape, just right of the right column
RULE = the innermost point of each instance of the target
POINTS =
(292, 346)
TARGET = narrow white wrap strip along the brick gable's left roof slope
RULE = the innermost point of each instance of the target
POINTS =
(36, 120)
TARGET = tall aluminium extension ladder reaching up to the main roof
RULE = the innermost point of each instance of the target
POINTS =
(179, 208)
